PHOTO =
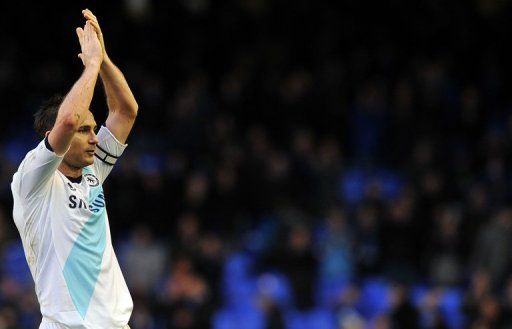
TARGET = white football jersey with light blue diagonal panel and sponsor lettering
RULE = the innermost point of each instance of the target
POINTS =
(65, 232)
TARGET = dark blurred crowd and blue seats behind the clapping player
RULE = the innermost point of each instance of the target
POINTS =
(294, 164)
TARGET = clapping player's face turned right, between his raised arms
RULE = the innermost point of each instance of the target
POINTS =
(83, 144)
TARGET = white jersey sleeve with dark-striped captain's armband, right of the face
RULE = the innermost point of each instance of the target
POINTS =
(108, 151)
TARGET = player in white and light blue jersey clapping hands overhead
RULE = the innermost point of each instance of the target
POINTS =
(59, 204)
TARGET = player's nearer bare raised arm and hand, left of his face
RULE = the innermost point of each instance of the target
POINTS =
(76, 103)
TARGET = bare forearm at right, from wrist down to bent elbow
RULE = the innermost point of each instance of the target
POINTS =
(120, 98)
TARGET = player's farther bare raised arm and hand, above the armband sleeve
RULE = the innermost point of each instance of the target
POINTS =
(121, 103)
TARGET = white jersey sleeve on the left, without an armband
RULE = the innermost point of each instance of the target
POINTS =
(36, 171)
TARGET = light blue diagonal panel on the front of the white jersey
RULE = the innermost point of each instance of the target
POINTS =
(83, 264)
